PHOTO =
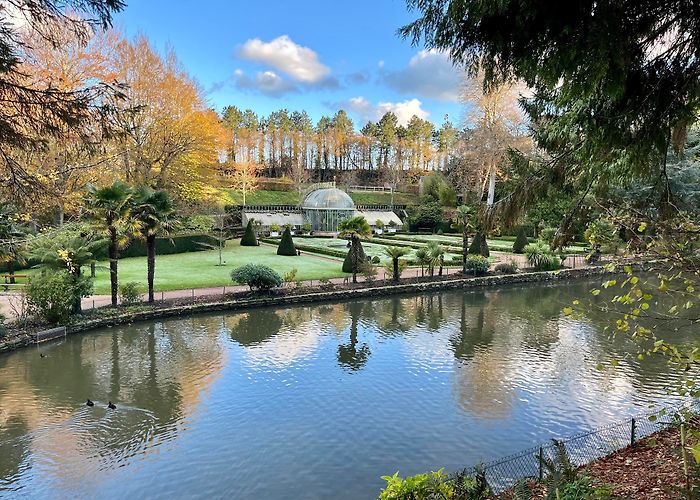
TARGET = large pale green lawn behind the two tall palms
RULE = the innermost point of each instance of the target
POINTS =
(201, 270)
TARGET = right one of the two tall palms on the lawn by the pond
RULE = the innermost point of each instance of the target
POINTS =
(154, 213)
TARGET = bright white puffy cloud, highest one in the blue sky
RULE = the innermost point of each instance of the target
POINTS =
(300, 63)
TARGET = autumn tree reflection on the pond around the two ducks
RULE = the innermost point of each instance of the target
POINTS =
(155, 386)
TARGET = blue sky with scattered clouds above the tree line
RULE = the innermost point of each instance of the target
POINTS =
(308, 54)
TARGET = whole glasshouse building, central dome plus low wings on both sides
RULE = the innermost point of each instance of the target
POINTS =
(323, 209)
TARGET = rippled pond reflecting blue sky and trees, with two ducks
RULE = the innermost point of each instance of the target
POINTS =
(311, 402)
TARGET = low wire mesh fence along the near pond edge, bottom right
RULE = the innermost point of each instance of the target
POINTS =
(582, 448)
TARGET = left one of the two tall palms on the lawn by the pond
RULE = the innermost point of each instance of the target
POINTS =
(109, 208)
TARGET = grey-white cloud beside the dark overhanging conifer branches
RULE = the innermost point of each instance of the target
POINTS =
(430, 74)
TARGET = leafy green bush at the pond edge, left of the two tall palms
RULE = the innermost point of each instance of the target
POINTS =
(52, 295)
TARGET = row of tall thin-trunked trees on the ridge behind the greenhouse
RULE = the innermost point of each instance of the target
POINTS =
(290, 144)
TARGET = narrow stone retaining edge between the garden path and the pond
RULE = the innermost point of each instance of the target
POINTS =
(320, 296)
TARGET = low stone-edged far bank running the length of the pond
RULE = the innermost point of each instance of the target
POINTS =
(17, 338)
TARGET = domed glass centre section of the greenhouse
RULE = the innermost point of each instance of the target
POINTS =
(325, 208)
